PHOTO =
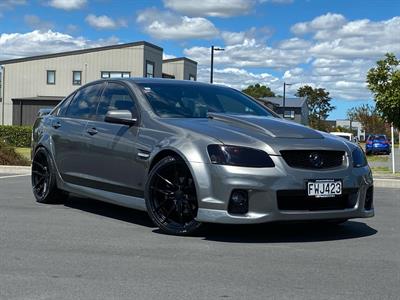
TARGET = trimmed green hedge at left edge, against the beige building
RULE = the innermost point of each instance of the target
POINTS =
(17, 136)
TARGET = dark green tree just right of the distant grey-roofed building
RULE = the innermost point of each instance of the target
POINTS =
(319, 106)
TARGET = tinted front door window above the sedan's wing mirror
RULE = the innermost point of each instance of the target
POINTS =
(115, 97)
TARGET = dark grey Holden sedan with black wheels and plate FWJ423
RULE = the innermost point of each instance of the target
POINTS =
(190, 153)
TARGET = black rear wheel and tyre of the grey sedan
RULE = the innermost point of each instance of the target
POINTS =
(43, 178)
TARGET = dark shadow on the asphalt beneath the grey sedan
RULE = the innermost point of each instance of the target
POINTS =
(259, 233)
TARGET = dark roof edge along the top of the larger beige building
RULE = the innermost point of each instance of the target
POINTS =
(81, 51)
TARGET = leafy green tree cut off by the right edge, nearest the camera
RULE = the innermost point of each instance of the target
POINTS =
(384, 82)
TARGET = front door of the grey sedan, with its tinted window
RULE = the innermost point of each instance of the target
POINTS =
(115, 165)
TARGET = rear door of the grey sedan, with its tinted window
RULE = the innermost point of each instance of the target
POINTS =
(69, 140)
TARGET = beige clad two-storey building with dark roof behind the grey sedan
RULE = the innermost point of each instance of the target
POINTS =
(31, 83)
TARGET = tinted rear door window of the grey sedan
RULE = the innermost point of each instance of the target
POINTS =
(84, 104)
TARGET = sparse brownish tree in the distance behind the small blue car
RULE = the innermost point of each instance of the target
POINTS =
(369, 117)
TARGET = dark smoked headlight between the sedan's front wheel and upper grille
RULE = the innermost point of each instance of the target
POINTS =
(239, 156)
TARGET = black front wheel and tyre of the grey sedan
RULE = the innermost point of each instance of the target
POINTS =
(171, 199)
